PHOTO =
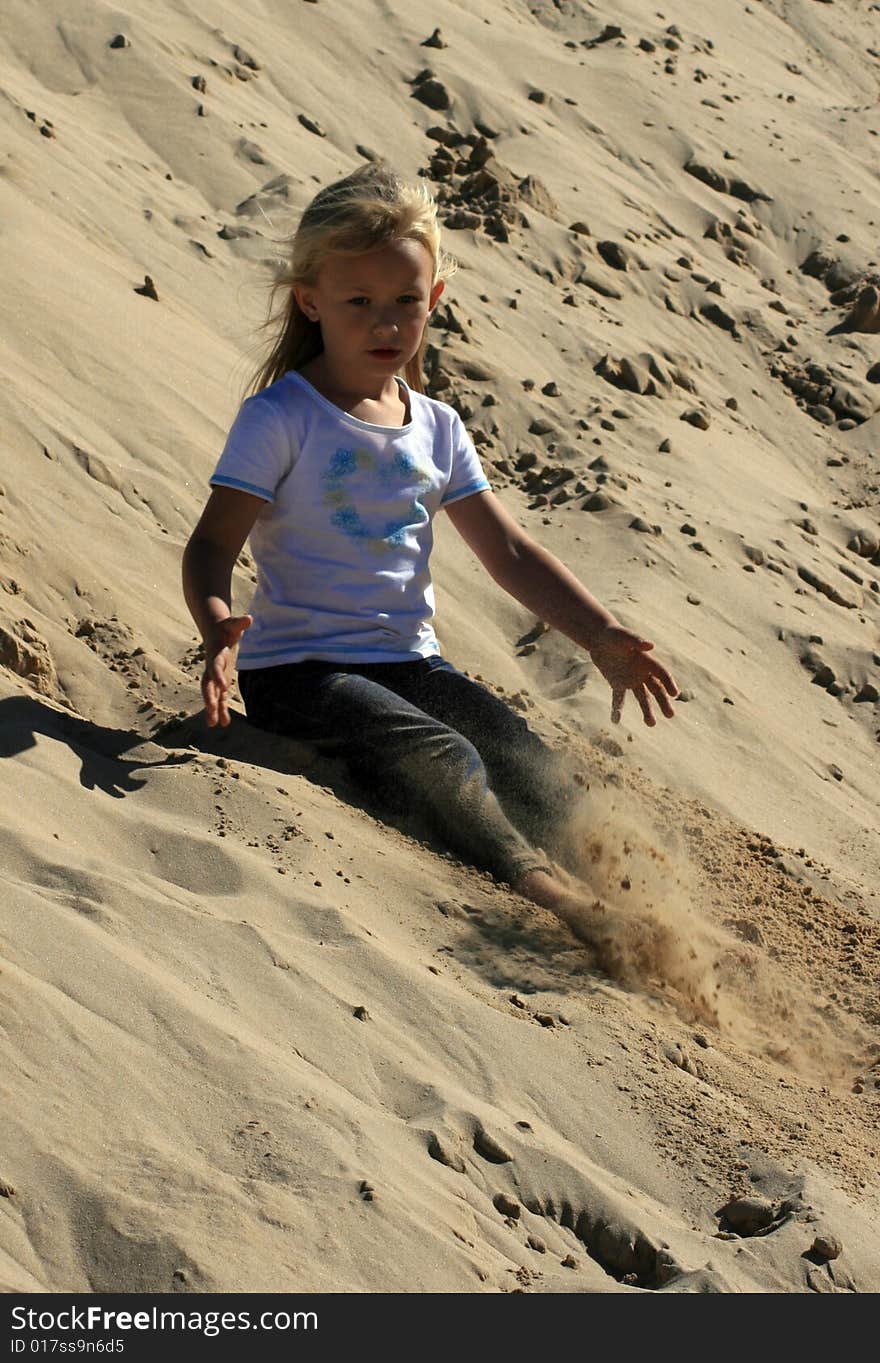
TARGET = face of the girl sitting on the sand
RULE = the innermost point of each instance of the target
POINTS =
(373, 309)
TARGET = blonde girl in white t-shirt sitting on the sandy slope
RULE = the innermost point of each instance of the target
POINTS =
(336, 468)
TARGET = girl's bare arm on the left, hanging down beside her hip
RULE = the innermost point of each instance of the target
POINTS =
(209, 561)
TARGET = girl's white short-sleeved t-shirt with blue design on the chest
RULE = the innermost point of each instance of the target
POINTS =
(344, 540)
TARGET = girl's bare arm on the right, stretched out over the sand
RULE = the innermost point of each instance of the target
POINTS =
(536, 579)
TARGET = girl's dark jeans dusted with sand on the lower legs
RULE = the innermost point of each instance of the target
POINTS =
(423, 737)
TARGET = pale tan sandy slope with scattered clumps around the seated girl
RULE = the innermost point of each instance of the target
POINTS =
(191, 923)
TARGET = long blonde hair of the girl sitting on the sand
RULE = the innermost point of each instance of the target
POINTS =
(366, 211)
